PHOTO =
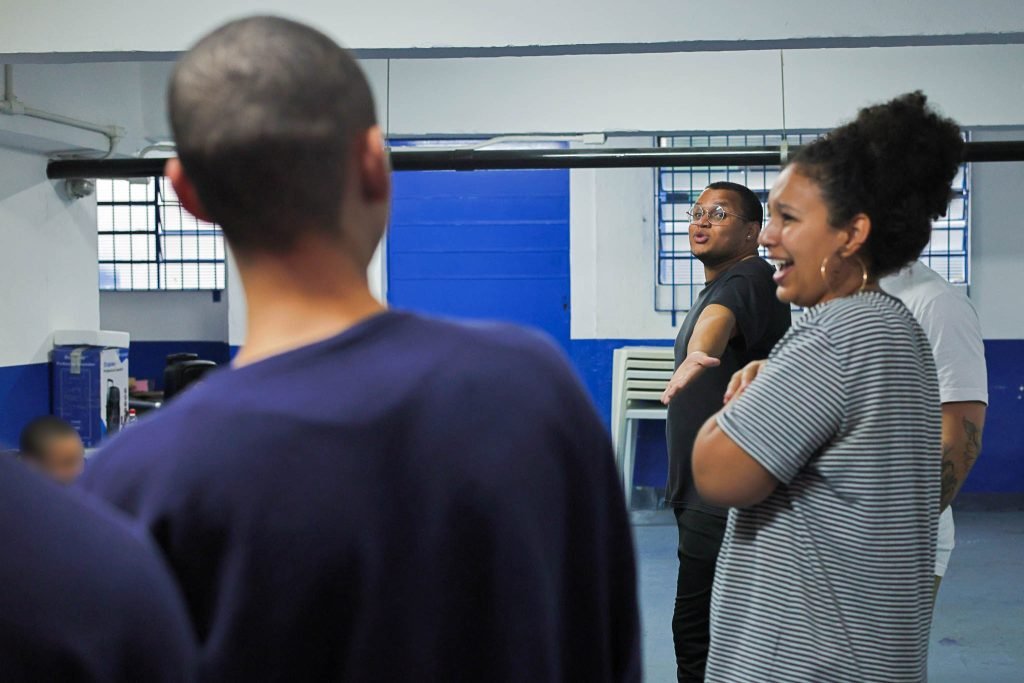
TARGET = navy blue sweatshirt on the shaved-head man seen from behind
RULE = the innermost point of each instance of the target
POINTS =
(412, 500)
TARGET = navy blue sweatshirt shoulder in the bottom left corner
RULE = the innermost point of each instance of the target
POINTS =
(83, 599)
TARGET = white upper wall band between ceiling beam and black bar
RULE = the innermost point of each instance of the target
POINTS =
(581, 94)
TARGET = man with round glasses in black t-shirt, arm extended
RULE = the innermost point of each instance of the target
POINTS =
(737, 319)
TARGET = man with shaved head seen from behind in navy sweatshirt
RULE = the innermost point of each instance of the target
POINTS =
(366, 495)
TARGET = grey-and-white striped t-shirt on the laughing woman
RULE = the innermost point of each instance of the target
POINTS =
(831, 578)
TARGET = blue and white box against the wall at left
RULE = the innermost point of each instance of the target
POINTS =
(91, 382)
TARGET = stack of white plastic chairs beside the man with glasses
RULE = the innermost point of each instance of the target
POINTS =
(639, 375)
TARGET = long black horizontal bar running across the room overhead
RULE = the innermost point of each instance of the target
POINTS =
(479, 160)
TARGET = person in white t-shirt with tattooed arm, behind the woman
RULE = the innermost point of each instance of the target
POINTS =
(955, 333)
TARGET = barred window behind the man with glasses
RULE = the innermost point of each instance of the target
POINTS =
(680, 277)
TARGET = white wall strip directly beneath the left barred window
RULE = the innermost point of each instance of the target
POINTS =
(166, 316)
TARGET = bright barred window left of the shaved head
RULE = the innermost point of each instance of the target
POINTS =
(148, 241)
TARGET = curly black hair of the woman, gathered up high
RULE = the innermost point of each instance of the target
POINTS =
(894, 163)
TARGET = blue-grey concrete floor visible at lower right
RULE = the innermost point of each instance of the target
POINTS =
(978, 633)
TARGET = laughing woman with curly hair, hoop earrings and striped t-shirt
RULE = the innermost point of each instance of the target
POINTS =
(830, 452)
